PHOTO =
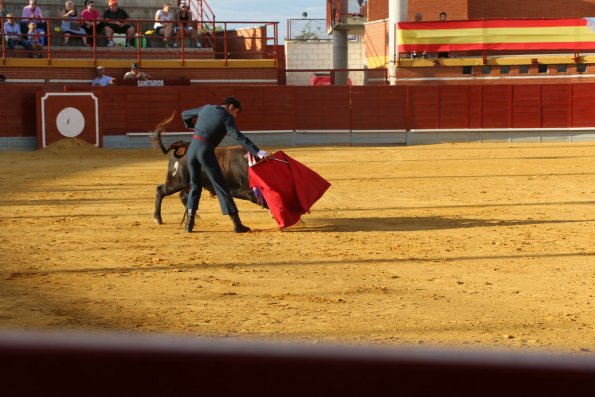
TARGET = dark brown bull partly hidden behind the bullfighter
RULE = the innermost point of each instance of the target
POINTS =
(232, 160)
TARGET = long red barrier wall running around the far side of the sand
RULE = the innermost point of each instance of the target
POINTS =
(137, 109)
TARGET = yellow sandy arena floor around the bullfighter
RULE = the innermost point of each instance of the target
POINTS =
(466, 245)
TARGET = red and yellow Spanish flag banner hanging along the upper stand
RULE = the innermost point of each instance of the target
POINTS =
(497, 35)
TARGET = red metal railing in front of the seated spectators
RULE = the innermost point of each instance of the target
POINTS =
(218, 40)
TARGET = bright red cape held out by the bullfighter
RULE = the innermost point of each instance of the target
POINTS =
(289, 187)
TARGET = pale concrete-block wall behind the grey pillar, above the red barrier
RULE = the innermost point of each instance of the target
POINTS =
(319, 55)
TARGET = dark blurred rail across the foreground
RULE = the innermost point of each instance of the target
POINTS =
(53, 364)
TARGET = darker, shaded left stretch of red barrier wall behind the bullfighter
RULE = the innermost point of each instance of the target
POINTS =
(125, 109)
